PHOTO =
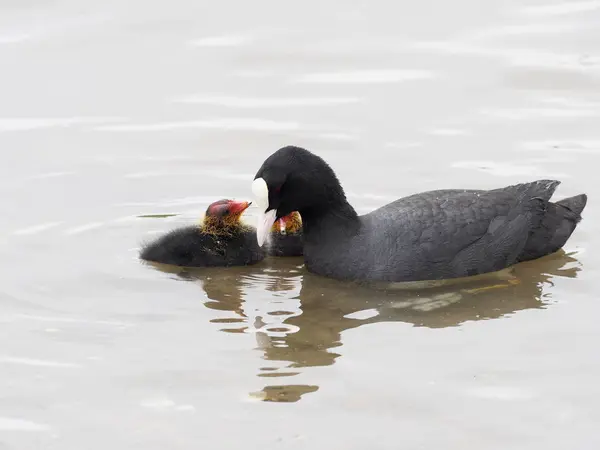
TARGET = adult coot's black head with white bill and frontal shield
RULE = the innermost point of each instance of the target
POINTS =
(294, 179)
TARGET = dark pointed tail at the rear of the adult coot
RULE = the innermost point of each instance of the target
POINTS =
(557, 225)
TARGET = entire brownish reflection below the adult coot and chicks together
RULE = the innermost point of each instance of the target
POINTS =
(298, 317)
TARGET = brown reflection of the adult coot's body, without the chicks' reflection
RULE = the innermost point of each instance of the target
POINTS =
(330, 307)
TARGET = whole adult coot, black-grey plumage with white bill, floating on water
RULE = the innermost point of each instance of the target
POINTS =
(431, 235)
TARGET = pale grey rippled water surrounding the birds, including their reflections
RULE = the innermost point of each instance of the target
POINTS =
(121, 120)
